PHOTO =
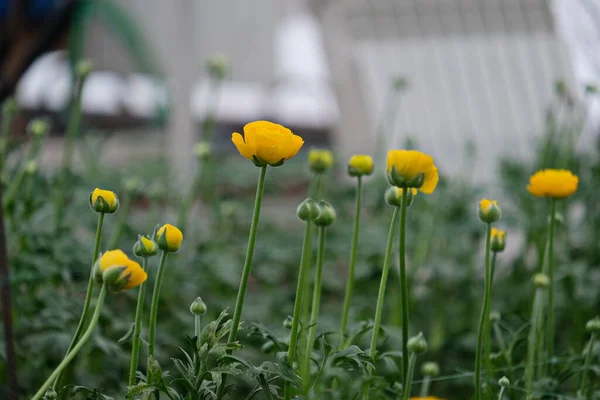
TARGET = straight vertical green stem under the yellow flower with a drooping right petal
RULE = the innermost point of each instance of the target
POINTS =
(404, 287)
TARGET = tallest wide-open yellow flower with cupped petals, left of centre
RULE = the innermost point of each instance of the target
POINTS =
(265, 142)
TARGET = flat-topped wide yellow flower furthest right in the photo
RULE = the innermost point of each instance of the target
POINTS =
(556, 183)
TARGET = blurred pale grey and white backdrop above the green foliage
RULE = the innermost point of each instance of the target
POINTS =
(349, 74)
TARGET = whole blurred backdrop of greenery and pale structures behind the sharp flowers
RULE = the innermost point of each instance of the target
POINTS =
(492, 89)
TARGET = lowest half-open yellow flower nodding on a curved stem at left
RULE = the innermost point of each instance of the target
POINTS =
(118, 271)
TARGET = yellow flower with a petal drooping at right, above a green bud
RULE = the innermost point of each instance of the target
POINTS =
(411, 168)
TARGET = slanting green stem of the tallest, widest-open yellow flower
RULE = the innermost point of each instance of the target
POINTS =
(239, 303)
